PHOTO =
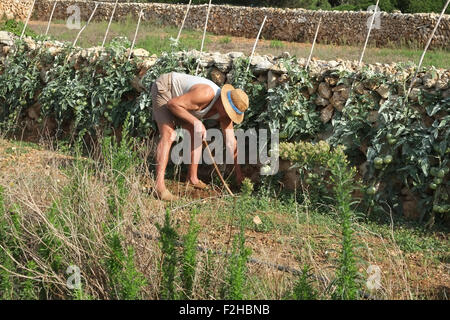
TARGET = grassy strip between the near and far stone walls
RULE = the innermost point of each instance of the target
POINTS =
(155, 37)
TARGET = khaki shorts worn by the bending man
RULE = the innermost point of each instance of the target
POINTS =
(161, 94)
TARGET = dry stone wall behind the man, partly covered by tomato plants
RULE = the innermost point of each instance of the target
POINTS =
(328, 94)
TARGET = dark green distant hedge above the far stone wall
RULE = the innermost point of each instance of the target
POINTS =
(405, 6)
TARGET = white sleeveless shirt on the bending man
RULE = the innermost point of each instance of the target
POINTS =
(182, 83)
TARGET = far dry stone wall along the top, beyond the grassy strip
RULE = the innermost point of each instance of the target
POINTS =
(345, 27)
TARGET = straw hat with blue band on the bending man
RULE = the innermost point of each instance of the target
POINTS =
(235, 102)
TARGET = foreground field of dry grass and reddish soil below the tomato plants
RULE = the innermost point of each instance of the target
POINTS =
(37, 181)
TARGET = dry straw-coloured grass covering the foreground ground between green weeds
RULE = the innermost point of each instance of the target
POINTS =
(34, 178)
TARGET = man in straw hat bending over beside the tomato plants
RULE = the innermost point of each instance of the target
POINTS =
(184, 100)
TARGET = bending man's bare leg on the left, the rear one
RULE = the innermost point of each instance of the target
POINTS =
(167, 134)
